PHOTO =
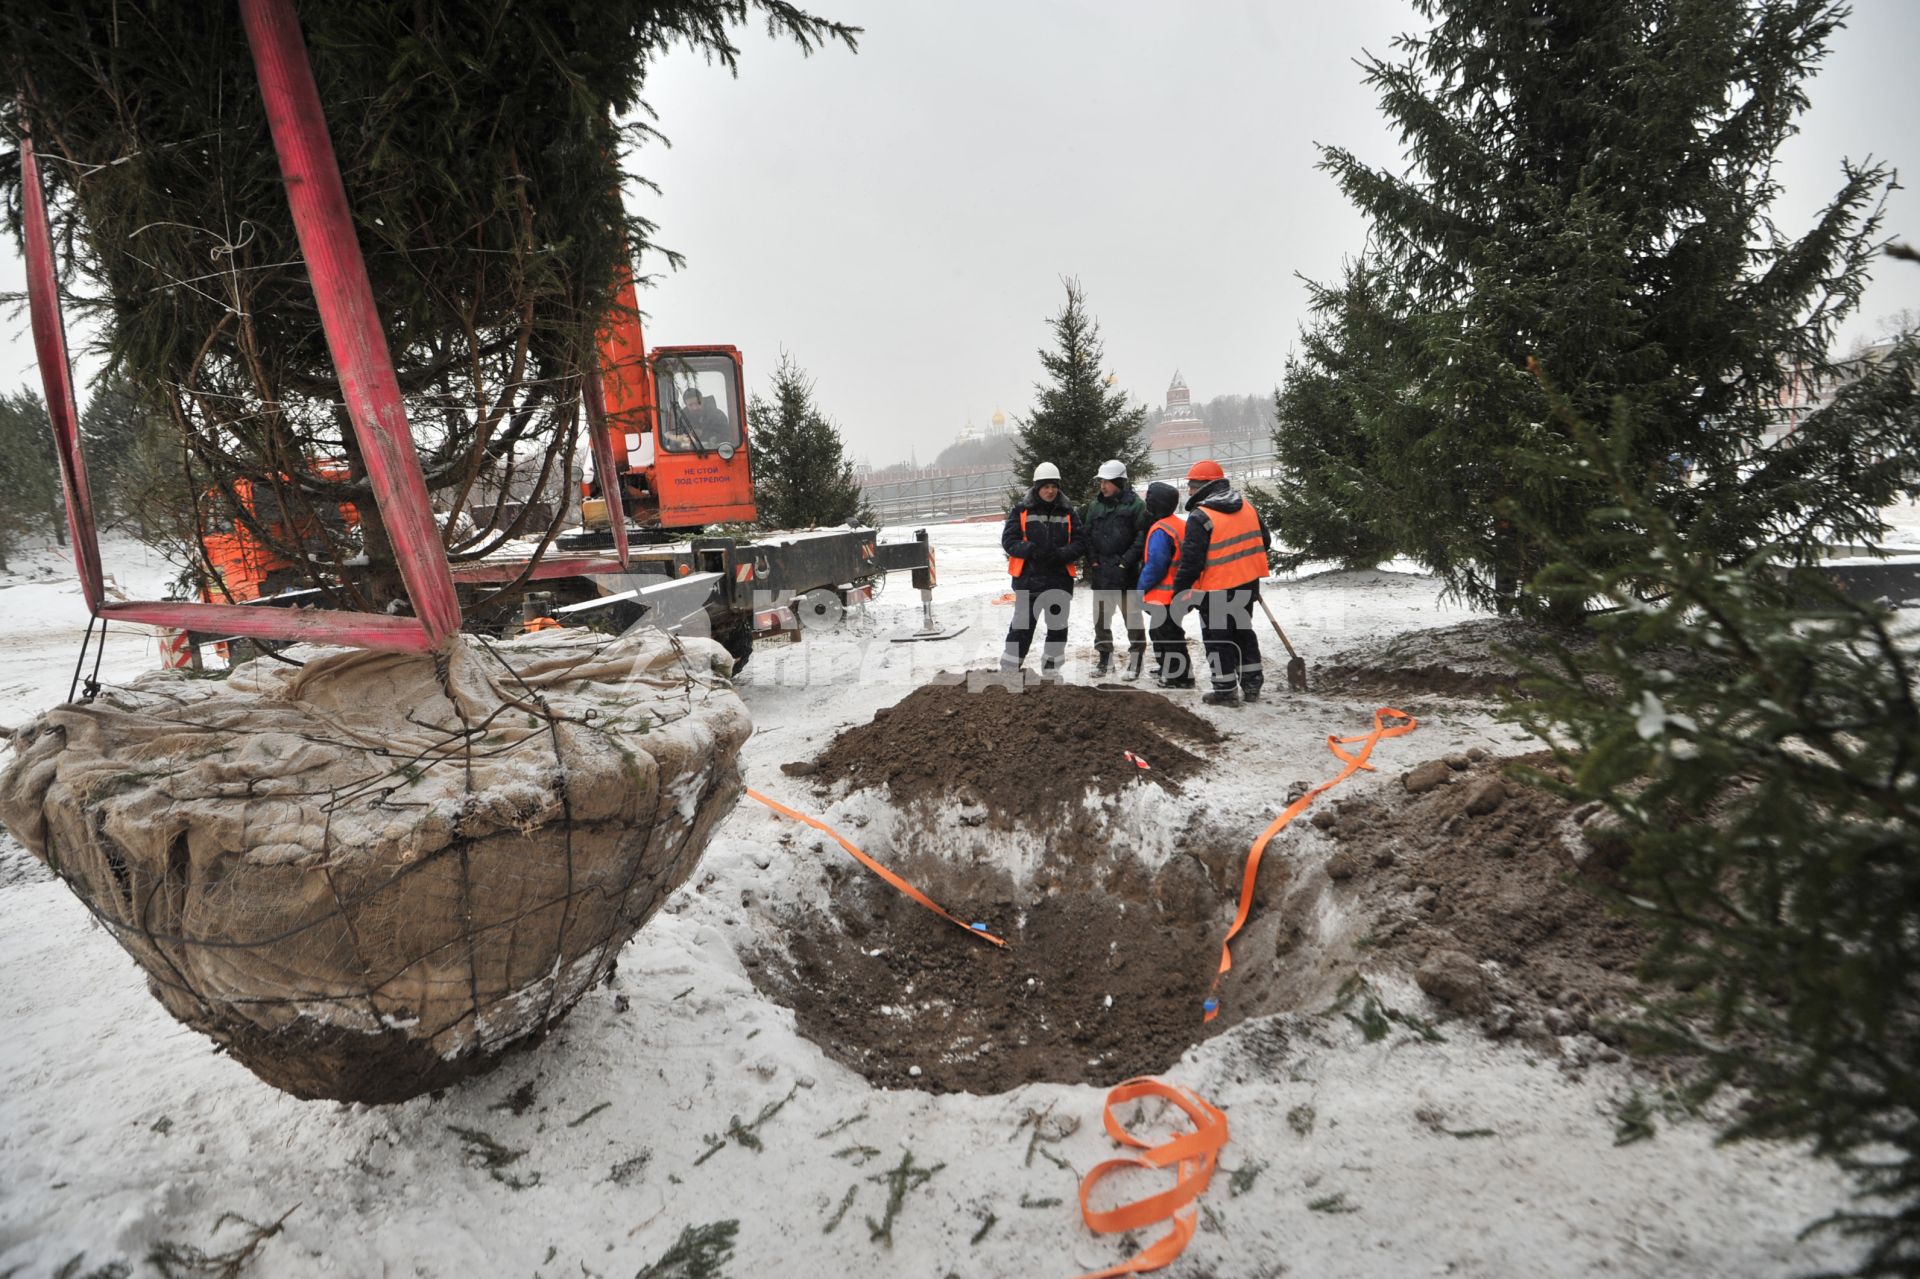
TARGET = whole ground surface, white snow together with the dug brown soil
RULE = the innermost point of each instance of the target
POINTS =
(863, 1088)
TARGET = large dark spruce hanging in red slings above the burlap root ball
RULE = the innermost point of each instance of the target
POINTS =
(483, 153)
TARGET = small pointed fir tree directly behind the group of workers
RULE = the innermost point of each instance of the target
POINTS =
(1078, 420)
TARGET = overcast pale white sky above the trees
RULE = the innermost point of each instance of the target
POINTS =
(900, 220)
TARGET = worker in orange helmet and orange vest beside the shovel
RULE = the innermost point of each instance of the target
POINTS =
(1224, 558)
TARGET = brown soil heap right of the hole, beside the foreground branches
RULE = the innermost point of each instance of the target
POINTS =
(1474, 881)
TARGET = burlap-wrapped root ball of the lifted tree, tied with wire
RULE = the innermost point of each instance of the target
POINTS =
(372, 875)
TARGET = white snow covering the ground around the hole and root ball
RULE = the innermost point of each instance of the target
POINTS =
(681, 1098)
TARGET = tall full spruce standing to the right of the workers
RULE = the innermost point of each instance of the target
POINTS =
(1589, 199)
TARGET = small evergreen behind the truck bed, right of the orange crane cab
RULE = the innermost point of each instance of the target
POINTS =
(802, 477)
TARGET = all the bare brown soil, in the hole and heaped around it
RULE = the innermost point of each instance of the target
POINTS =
(911, 1001)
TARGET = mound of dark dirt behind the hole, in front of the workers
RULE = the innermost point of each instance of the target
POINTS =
(1022, 750)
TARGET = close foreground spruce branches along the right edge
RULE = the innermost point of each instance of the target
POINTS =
(1756, 738)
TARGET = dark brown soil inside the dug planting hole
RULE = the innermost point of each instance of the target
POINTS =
(1093, 988)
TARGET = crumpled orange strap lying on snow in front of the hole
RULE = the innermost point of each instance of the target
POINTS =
(1191, 1155)
